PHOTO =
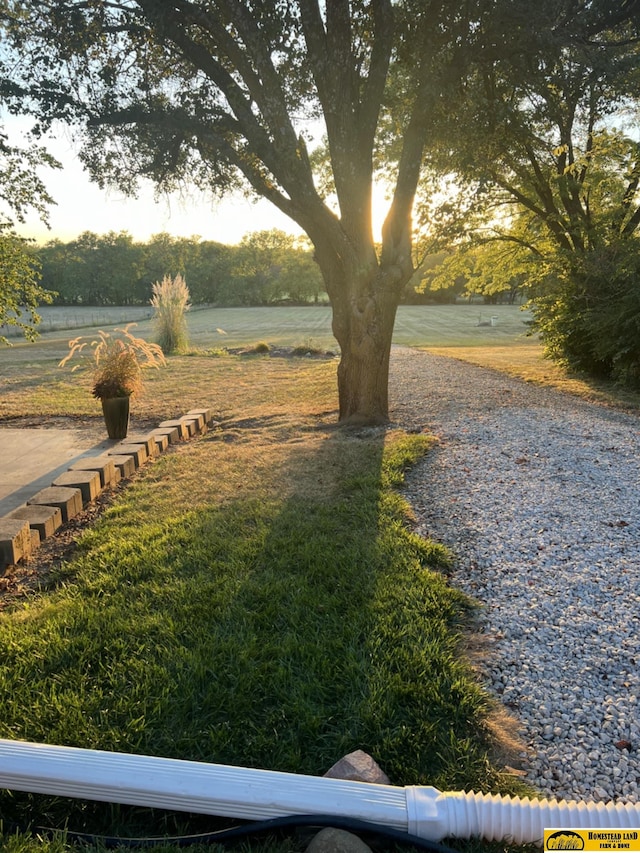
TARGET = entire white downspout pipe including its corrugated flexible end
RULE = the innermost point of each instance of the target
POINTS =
(249, 794)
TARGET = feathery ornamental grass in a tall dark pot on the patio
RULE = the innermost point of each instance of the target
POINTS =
(116, 361)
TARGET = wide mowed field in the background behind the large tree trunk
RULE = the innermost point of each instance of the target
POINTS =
(464, 332)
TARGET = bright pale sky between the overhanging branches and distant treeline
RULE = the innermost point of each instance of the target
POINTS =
(82, 206)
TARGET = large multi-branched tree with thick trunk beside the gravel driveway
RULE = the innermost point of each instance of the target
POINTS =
(213, 91)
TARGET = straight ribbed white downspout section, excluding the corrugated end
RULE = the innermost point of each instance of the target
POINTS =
(192, 786)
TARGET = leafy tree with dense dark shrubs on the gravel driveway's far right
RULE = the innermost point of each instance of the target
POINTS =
(551, 142)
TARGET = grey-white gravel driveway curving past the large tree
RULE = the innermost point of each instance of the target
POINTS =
(538, 495)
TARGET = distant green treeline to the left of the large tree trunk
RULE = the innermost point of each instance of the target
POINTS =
(267, 268)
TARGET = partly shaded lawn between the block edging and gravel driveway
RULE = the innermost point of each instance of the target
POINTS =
(255, 597)
